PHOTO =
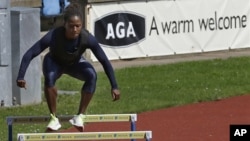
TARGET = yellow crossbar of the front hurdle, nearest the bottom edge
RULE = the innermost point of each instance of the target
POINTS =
(85, 136)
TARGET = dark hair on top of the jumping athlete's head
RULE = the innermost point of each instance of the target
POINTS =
(73, 9)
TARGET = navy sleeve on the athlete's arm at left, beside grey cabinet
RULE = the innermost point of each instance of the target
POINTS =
(31, 53)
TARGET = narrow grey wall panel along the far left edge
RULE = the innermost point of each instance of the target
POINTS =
(5, 55)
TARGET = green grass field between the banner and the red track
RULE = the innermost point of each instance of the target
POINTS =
(145, 89)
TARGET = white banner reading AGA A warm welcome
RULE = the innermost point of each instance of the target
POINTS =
(159, 28)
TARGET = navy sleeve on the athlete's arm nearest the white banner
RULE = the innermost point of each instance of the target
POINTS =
(102, 58)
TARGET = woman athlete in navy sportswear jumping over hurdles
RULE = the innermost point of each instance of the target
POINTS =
(66, 45)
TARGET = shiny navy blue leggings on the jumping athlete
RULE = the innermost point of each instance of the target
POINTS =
(82, 70)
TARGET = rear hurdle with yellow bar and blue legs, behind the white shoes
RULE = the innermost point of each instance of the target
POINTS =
(132, 118)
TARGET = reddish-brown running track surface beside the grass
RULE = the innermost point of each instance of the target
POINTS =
(207, 121)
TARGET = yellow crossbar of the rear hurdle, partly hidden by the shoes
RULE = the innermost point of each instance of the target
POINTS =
(87, 118)
